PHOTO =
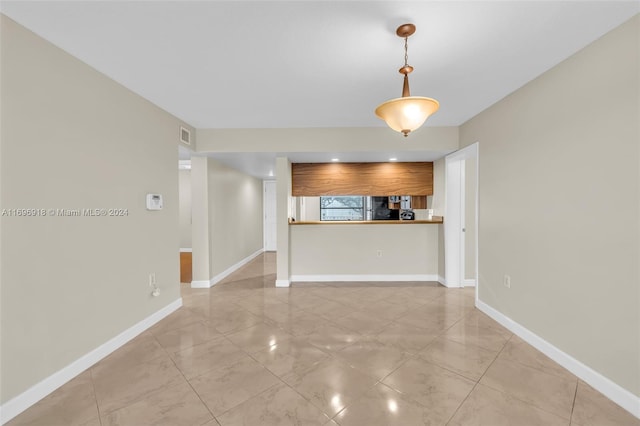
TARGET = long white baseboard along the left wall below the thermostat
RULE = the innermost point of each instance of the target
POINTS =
(26, 399)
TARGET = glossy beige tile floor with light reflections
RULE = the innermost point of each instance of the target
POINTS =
(365, 354)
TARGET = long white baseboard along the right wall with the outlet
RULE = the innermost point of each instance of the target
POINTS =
(605, 386)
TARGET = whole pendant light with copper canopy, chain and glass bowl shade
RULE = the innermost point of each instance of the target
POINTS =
(407, 113)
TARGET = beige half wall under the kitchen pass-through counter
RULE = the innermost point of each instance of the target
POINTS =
(410, 249)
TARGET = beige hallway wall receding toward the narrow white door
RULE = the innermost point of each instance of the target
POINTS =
(235, 216)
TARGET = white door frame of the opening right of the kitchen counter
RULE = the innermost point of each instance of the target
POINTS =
(454, 217)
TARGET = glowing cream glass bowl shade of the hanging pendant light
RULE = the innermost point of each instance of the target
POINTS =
(408, 113)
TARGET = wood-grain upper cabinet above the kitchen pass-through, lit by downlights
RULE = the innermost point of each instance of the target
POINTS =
(317, 179)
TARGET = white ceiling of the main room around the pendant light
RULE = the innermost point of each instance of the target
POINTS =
(267, 64)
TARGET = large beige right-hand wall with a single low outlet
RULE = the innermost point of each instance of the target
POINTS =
(560, 205)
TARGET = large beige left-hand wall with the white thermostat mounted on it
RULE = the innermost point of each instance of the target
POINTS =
(73, 139)
